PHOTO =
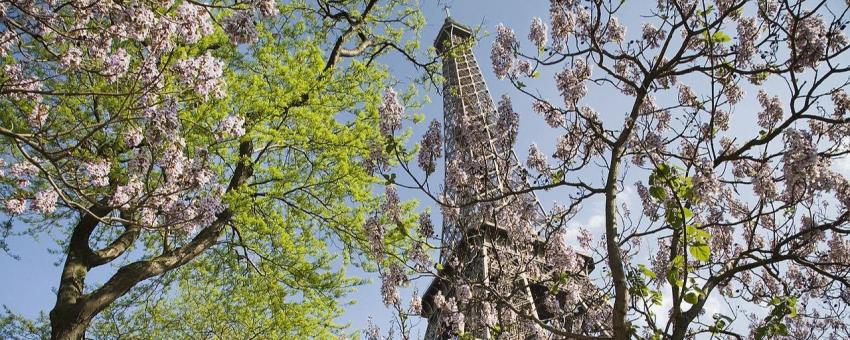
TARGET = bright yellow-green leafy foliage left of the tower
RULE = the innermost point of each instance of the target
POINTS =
(275, 273)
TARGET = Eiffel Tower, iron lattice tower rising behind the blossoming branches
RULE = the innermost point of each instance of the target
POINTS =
(497, 284)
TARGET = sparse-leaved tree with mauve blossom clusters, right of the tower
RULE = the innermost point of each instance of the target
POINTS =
(743, 207)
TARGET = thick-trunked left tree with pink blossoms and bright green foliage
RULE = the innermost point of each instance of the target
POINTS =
(152, 134)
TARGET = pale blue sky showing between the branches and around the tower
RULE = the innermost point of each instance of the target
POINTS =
(28, 284)
